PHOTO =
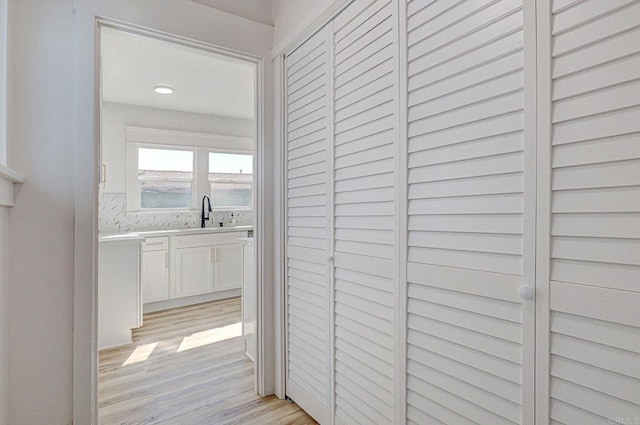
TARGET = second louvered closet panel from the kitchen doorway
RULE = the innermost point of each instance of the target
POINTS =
(364, 213)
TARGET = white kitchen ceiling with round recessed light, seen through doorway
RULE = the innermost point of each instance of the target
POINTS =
(204, 83)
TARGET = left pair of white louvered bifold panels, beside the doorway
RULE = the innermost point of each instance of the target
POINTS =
(342, 265)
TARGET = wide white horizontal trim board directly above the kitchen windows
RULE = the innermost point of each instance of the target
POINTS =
(219, 142)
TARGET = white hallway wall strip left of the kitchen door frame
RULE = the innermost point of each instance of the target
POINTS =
(41, 224)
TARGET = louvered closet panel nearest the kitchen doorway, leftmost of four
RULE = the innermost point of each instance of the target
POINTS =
(308, 196)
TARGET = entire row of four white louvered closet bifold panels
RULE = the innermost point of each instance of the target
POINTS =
(463, 213)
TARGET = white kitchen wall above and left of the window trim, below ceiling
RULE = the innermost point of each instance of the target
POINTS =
(116, 117)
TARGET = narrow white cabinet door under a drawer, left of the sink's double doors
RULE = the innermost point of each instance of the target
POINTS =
(155, 276)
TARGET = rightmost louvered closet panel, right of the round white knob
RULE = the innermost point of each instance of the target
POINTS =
(595, 213)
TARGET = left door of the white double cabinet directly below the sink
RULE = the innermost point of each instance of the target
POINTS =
(194, 271)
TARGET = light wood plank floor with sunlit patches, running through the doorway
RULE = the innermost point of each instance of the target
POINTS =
(187, 367)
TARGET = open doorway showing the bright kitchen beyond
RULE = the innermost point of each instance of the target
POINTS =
(177, 206)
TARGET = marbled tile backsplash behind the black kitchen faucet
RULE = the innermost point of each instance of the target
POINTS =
(113, 217)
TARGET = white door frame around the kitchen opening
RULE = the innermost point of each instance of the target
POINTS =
(88, 164)
